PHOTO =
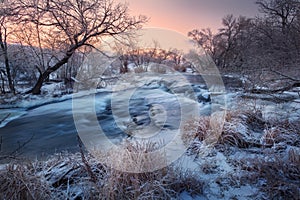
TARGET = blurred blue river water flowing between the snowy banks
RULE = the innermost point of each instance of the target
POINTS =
(50, 128)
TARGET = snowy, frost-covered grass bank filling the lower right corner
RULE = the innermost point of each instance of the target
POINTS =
(251, 152)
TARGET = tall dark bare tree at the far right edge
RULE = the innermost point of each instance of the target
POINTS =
(278, 34)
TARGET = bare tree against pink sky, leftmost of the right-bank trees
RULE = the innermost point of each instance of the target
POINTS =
(225, 47)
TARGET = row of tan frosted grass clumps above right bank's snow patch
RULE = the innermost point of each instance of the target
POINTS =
(242, 129)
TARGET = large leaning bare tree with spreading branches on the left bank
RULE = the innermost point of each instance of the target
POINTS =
(65, 26)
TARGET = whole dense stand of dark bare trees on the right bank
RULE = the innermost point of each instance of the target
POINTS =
(265, 48)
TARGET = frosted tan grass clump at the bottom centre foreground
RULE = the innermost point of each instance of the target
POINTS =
(165, 183)
